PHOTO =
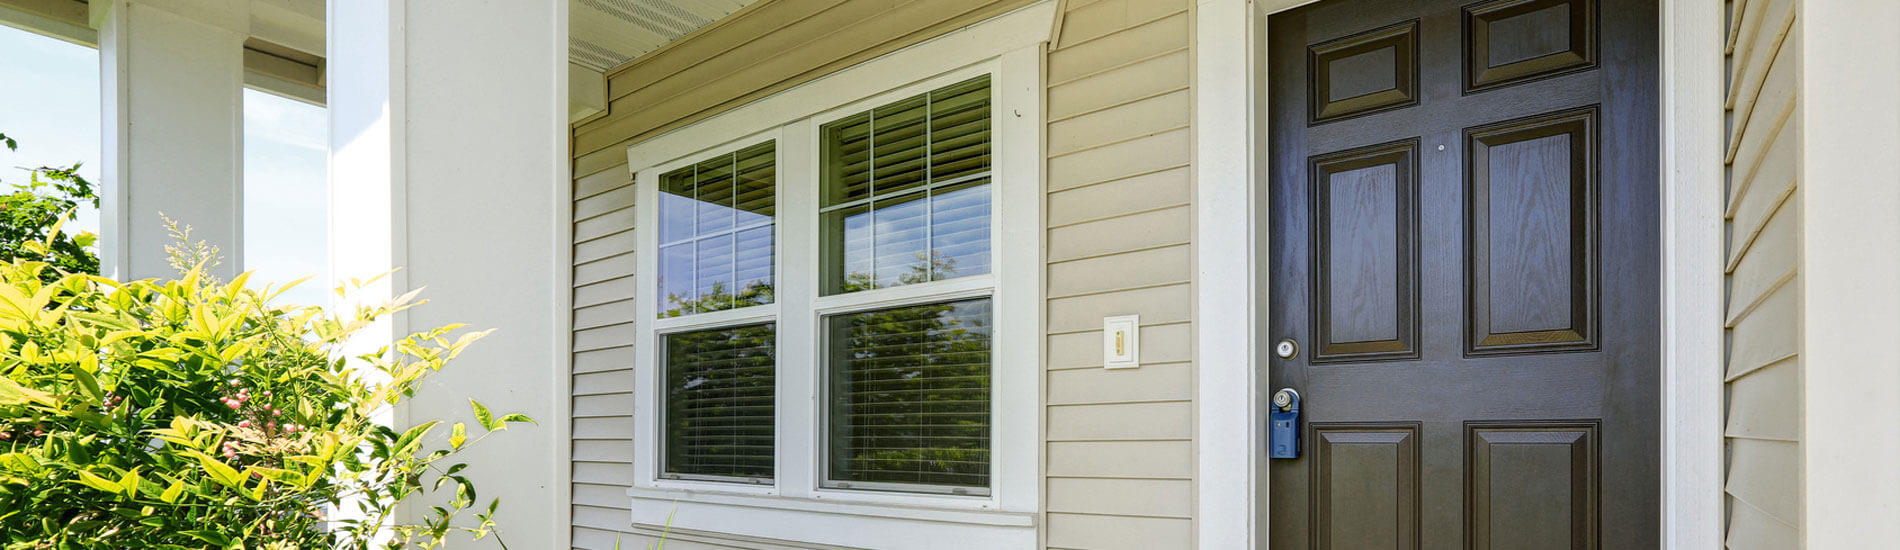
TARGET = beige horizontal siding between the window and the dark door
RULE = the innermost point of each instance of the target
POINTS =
(1120, 444)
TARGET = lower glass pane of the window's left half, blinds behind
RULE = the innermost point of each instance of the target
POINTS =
(721, 403)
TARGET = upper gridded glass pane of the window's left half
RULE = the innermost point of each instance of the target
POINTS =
(717, 233)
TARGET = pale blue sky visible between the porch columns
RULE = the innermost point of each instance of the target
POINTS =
(50, 102)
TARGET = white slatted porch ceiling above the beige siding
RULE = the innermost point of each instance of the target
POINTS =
(607, 33)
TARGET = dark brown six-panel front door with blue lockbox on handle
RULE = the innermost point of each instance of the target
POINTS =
(1464, 205)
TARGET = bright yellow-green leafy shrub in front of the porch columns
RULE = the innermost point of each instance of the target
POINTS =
(197, 414)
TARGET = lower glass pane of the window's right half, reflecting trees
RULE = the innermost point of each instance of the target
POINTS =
(911, 397)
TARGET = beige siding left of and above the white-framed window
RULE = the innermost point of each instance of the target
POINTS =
(751, 54)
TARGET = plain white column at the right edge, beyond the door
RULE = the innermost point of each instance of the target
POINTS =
(1850, 273)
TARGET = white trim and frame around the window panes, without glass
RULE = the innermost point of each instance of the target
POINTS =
(795, 507)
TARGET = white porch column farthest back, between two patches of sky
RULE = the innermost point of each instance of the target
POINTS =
(172, 90)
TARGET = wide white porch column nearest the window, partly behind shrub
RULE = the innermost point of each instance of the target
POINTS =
(449, 161)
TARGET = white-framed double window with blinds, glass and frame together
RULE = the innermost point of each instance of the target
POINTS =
(839, 300)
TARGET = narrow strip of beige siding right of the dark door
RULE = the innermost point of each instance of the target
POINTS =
(1764, 366)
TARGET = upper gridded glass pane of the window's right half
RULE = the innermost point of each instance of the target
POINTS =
(907, 191)
